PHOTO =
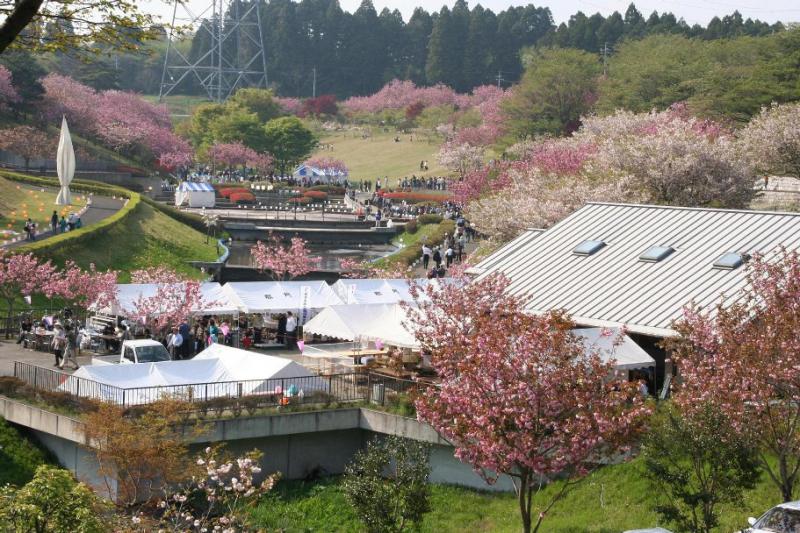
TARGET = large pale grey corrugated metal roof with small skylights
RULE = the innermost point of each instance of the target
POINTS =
(613, 287)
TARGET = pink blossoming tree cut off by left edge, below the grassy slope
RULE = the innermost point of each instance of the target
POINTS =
(24, 275)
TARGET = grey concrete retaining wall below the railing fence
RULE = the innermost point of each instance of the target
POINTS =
(299, 445)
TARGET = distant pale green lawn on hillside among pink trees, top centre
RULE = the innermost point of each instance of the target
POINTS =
(380, 155)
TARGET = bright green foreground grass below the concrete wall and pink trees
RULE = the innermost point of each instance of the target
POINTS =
(611, 500)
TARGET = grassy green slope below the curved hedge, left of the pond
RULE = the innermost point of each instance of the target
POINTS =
(146, 238)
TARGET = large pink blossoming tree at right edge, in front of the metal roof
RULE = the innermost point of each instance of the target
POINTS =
(741, 357)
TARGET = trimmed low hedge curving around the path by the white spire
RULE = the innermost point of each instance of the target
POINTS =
(86, 233)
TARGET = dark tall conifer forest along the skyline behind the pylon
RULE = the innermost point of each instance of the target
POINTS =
(357, 53)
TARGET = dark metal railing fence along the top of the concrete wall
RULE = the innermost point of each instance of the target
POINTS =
(322, 389)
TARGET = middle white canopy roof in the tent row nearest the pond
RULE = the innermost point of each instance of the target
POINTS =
(278, 296)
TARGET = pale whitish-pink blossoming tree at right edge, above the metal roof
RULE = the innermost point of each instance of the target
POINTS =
(771, 140)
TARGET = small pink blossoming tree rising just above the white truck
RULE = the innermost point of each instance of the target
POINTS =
(176, 298)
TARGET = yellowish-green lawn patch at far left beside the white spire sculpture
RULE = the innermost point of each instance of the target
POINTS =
(19, 201)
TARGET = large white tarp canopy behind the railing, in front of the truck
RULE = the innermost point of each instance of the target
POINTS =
(217, 371)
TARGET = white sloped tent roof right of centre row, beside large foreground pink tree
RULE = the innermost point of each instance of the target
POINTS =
(384, 322)
